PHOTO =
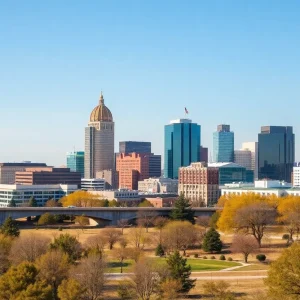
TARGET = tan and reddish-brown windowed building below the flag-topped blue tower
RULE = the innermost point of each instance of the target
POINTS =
(199, 184)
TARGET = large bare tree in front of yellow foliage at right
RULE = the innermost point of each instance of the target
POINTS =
(255, 218)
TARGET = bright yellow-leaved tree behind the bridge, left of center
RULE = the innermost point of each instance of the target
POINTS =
(83, 199)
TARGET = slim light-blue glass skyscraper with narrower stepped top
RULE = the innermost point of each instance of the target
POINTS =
(223, 144)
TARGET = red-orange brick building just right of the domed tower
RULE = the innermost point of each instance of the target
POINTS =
(131, 168)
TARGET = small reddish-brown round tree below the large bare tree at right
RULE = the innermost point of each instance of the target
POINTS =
(245, 244)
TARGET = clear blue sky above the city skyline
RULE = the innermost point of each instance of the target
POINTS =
(235, 62)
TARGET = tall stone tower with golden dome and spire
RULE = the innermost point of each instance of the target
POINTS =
(99, 141)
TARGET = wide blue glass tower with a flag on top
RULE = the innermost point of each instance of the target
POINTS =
(182, 146)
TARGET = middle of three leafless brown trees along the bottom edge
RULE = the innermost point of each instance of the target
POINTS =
(90, 274)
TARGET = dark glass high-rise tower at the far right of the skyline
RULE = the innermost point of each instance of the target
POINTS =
(276, 152)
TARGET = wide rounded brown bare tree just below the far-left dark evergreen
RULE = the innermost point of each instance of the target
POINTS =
(28, 247)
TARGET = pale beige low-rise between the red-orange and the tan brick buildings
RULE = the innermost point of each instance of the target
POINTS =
(158, 185)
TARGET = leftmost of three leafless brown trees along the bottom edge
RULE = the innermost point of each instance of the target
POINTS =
(54, 267)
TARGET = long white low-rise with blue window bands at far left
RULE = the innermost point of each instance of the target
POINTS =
(42, 193)
